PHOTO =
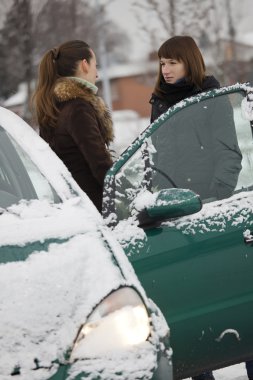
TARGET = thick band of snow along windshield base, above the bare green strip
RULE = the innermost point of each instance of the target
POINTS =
(35, 220)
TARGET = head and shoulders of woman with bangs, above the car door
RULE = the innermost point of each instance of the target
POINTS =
(182, 73)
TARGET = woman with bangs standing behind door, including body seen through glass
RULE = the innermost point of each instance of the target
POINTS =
(200, 151)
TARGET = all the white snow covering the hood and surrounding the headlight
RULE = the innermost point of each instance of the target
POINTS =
(47, 297)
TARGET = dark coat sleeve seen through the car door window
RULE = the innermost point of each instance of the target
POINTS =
(227, 154)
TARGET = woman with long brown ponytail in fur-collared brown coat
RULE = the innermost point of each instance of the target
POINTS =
(72, 119)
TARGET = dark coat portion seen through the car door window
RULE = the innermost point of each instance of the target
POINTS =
(199, 150)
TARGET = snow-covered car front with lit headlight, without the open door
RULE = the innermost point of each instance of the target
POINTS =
(71, 306)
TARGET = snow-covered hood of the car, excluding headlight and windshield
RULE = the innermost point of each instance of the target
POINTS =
(46, 295)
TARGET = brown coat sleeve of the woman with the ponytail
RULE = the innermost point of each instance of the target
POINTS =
(85, 131)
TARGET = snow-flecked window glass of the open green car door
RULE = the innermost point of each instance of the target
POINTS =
(206, 147)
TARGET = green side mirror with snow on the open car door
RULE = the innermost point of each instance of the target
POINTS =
(167, 204)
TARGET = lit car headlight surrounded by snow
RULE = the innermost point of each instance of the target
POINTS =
(120, 321)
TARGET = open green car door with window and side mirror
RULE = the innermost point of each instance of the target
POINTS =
(180, 201)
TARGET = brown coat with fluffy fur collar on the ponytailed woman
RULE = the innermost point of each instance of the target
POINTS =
(81, 136)
